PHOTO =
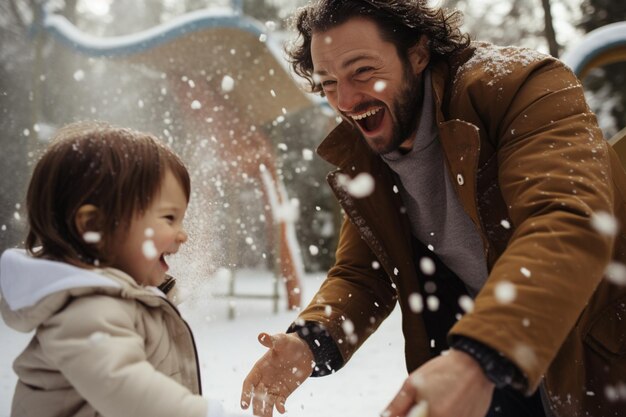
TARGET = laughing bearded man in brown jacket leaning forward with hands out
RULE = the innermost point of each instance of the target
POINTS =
(492, 183)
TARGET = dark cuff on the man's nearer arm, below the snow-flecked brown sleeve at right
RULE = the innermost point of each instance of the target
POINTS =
(498, 369)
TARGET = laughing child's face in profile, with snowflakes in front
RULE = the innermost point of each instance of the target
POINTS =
(153, 235)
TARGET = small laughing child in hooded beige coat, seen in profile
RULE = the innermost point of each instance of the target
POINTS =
(105, 208)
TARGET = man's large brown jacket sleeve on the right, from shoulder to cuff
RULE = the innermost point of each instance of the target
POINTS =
(554, 175)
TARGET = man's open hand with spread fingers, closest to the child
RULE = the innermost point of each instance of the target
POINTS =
(281, 370)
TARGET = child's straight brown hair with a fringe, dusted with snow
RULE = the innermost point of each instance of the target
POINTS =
(117, 170)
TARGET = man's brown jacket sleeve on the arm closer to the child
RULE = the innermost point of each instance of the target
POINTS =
(356, 296)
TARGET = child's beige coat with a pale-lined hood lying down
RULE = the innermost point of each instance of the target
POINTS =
(103, 345)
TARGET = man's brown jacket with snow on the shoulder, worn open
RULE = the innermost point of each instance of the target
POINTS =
(532, 170)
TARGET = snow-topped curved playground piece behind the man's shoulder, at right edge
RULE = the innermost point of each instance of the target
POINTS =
(603, 46)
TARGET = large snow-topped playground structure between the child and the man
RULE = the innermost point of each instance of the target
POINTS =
(228, 81)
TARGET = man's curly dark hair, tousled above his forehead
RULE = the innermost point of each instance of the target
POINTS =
(401, 22)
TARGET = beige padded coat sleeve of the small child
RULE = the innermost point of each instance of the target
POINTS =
(94, 344)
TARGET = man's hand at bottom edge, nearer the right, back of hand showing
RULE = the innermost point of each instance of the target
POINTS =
(451, 385)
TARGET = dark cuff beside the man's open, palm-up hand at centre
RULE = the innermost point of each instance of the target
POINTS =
(326, 354)
